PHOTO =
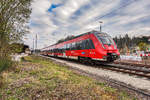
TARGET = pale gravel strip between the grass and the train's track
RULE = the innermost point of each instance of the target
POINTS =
(135, 81)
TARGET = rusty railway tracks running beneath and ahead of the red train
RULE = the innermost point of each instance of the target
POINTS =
(128, 69)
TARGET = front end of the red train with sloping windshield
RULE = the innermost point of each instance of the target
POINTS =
(109, 49)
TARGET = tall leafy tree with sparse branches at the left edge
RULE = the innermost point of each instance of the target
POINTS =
(14, 15)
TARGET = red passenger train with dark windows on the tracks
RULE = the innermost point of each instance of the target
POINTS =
(89, 46)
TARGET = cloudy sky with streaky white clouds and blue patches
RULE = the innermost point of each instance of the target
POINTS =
(52, 20)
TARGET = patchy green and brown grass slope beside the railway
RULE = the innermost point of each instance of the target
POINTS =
(41, 79)
